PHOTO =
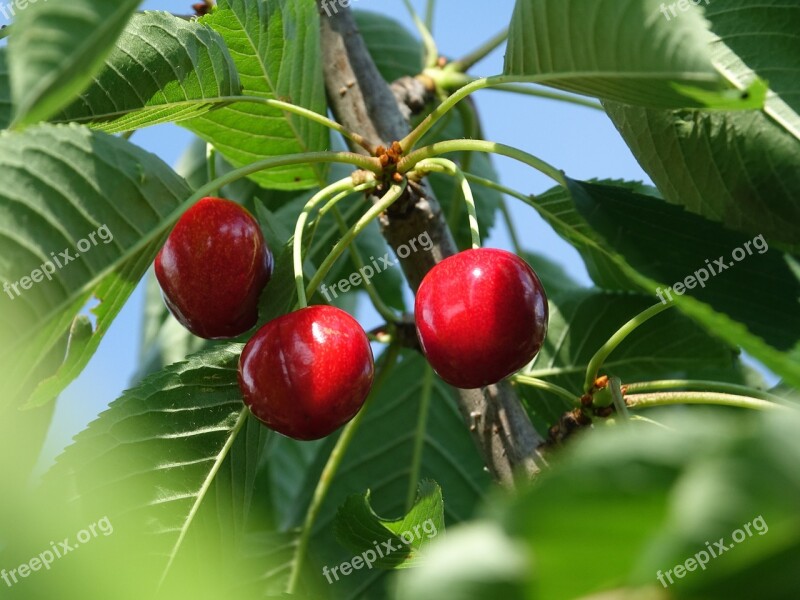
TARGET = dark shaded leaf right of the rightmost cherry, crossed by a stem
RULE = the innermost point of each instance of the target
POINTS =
(670, 346)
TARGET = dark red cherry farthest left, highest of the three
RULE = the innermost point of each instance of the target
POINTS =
(213, 268)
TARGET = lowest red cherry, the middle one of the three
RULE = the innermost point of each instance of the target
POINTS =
(307, 373)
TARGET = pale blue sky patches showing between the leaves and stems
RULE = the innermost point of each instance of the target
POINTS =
(578, 140)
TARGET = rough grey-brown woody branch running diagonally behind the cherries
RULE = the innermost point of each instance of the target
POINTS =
(363, 102)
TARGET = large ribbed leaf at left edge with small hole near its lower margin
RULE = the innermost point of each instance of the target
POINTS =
(101, 200)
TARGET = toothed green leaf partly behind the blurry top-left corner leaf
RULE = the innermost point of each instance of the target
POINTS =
(162, 69)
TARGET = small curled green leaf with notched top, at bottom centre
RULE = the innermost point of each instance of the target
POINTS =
(391, 543)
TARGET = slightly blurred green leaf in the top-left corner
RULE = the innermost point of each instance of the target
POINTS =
(56, 49)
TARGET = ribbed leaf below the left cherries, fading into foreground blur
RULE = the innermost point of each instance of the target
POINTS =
(165, 459)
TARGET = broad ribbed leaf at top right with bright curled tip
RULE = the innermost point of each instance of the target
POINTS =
(622, 50)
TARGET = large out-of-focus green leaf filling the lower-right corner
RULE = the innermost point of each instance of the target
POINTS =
(653, 498)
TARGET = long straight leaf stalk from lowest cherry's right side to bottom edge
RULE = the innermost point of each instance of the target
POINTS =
(330, 469)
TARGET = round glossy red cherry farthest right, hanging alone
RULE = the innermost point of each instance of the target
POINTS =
(481, 315)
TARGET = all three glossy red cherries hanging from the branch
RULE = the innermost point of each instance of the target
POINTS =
(481, 315)
